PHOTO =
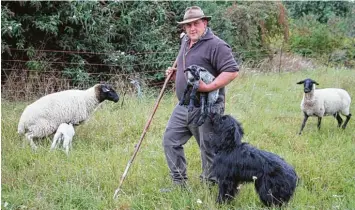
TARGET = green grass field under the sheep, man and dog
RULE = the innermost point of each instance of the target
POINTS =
(268, 105)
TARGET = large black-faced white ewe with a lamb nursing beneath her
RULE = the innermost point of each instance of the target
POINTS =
(42, 117)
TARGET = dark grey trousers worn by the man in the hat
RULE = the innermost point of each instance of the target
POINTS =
(181, 127)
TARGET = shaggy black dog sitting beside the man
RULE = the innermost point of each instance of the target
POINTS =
(236, 162)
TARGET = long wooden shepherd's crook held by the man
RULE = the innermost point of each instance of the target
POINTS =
(143, 134)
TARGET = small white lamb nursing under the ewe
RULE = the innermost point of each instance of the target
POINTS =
(64, 133)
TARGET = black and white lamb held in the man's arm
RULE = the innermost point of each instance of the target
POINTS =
(194, 75)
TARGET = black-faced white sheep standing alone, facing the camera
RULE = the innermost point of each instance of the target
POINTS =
(322, 102)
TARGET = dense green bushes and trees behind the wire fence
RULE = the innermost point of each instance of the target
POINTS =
(118, 34)
